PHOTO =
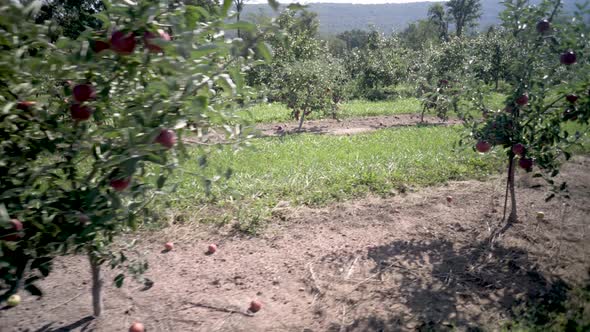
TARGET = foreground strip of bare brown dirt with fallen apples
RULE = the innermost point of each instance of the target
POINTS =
(412, 262)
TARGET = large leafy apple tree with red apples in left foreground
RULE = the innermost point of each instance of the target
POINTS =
(92, 128)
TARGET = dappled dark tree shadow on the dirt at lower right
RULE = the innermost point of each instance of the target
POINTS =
(443, 287)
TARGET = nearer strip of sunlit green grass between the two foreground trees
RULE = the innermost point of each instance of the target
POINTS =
(315, 170)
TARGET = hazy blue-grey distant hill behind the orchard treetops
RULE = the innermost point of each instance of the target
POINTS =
(336, 18)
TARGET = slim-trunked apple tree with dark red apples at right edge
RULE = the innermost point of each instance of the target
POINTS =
(549, 108)
